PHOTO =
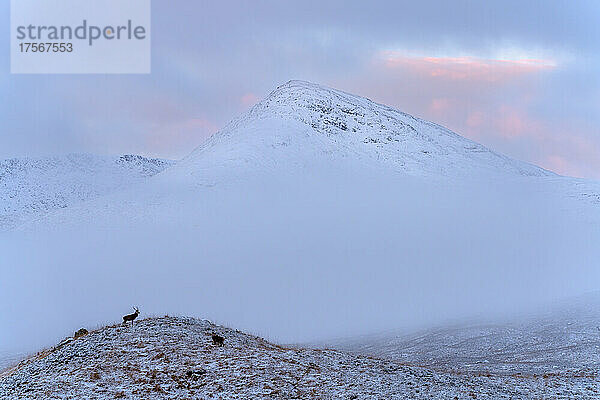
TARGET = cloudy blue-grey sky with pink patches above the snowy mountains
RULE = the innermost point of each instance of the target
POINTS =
(520, 77)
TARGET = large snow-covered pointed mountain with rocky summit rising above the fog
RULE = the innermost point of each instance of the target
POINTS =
(306, 130)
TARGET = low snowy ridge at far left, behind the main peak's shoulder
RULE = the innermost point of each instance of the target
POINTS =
(31, 186)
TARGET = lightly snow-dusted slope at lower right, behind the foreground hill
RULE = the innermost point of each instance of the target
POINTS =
(564, 337)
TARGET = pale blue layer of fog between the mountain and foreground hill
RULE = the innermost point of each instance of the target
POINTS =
(298, 258)
